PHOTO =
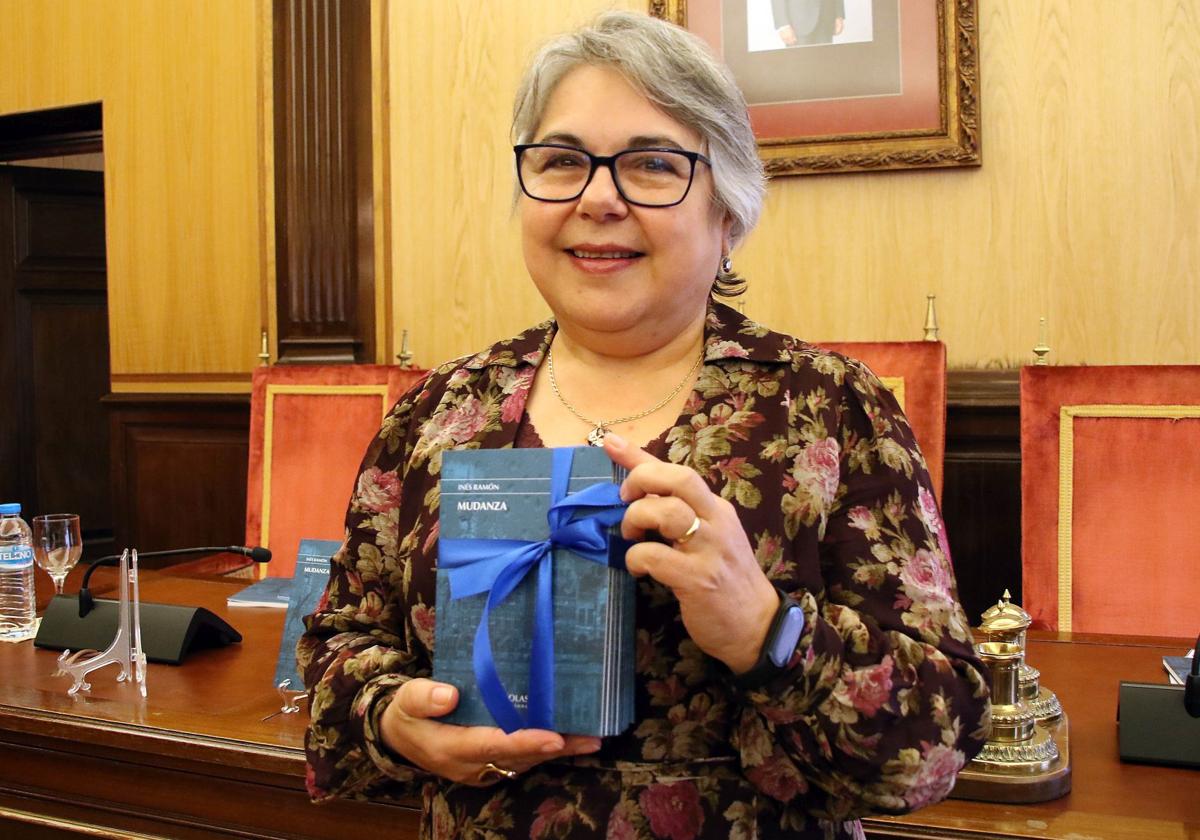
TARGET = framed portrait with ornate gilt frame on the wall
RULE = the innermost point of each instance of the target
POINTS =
(849, 86)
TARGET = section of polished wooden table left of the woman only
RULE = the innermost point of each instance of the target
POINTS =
(194, 760)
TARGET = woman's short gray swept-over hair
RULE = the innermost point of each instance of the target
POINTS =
(677, 73)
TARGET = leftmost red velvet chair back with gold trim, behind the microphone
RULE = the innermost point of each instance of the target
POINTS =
(309, 430)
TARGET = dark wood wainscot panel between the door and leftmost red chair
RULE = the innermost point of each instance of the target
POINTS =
(179, 470)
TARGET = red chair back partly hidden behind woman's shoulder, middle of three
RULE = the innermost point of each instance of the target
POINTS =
(916, 374)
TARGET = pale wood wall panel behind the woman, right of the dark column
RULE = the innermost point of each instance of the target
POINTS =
(1084, 212)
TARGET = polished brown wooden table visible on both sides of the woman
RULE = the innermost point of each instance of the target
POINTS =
(197, 760)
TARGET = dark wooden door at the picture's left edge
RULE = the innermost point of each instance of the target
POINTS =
(55, 347)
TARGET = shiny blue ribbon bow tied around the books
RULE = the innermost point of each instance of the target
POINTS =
(497, 567)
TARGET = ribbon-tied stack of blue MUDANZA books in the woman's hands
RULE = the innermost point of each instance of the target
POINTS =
(507, 495)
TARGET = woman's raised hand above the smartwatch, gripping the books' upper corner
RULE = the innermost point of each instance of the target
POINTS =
(727, 602)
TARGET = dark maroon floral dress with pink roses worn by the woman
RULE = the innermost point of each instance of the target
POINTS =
(884, 700)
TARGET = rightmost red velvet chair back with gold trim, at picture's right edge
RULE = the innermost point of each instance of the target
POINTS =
(1111, 499)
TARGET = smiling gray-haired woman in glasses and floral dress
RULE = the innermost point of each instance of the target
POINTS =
(802, 658)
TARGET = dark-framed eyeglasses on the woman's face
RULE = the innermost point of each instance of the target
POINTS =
(649, 178)
